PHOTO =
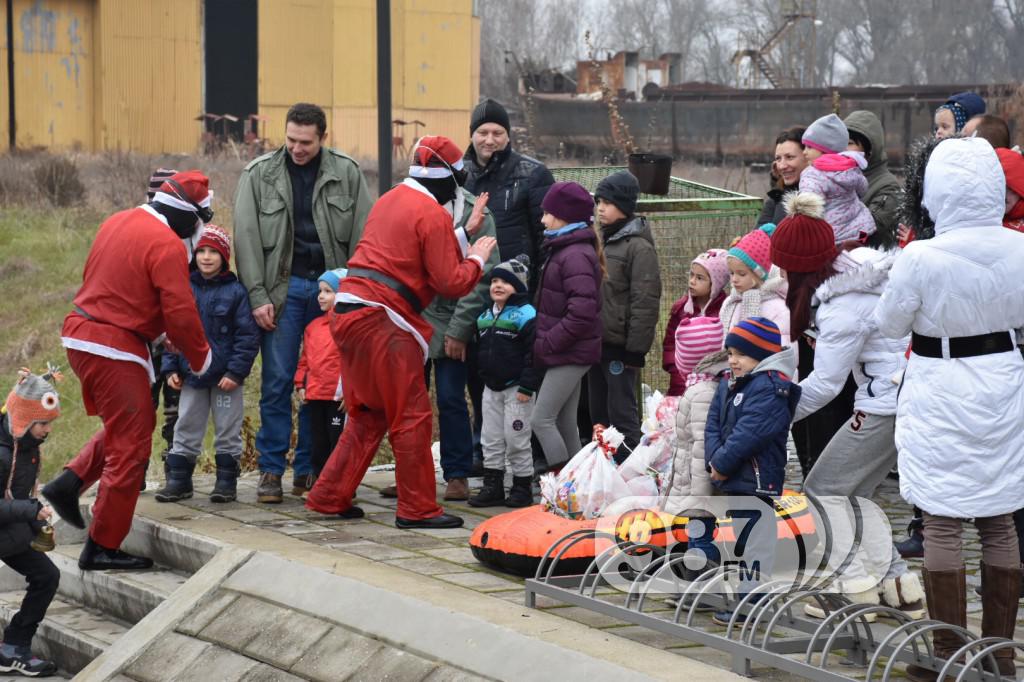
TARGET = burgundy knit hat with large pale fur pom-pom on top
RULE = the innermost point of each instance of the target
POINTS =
(804, 242)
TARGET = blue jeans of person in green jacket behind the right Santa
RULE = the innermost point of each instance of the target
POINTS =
(453, 417)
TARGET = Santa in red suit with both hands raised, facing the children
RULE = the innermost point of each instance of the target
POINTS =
(410, 252)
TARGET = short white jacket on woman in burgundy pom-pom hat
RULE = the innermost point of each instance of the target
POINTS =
(849, 340)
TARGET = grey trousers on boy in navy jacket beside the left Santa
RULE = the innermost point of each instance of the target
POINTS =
(194, 415)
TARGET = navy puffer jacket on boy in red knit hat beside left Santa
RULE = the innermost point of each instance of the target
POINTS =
(230, 327)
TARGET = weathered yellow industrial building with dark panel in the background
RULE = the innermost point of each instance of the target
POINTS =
(139, 75)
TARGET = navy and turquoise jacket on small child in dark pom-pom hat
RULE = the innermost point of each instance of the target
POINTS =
(505, 347)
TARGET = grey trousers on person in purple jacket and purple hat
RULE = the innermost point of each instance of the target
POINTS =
(556, 413)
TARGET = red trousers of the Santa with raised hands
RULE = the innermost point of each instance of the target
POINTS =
(382, 373)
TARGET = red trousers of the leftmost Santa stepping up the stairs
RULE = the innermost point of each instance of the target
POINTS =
(119, 393)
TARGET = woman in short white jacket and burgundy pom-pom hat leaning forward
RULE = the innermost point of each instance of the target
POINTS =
(832, 299)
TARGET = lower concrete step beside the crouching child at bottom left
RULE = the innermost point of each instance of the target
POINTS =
(72, 634)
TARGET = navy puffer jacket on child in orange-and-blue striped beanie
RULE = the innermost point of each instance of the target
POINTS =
(748, 423)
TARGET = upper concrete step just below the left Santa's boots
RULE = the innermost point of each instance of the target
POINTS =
(129, 595)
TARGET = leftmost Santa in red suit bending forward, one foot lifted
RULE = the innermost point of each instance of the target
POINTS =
(135, 290)
